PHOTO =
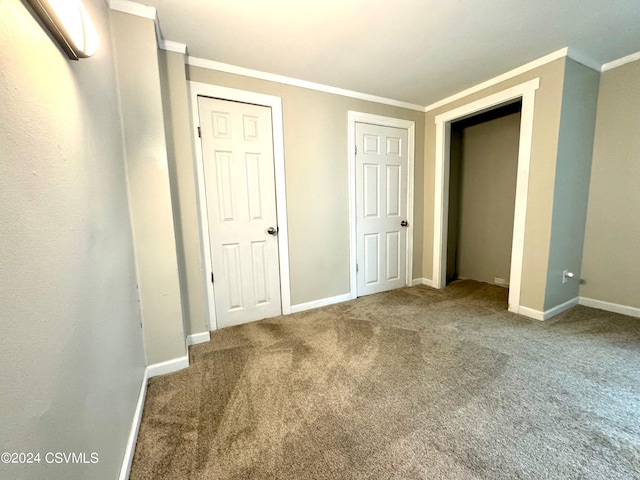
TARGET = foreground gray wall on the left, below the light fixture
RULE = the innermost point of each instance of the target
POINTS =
(71, 355)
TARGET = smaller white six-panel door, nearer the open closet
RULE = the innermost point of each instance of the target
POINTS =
(381, 207)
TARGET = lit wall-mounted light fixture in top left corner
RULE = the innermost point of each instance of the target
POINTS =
(69, 23)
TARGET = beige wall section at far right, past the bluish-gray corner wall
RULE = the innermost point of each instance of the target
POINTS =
(611, 254)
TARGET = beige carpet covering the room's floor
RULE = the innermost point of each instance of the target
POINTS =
(415, 383)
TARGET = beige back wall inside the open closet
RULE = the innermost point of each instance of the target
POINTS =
(487, 192)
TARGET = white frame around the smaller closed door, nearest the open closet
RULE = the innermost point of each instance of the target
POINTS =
(410, 126)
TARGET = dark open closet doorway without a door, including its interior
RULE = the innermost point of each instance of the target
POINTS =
(483, 168)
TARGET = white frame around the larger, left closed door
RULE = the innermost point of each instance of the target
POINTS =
(275, 103)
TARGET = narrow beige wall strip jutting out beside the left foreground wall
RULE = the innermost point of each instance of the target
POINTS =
(137, 65)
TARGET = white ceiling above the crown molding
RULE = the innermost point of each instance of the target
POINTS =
(417, 51)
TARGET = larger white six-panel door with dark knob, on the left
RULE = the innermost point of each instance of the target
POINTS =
(237, 144)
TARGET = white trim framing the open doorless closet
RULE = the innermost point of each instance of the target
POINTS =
(526, 91)
